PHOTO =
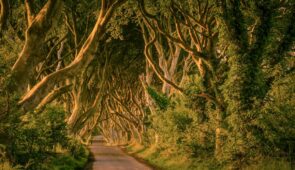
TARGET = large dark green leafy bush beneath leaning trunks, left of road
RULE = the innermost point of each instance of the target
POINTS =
(35, 137)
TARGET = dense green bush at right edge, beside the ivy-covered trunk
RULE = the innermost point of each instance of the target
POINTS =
(277, 119)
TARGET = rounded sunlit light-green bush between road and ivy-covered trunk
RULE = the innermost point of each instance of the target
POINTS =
(180, 131)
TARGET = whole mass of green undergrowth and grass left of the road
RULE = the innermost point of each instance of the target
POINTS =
(40, 142)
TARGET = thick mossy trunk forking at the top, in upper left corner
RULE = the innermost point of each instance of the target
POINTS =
(31, 54)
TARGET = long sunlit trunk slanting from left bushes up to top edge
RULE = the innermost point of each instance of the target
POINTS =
(83, 59)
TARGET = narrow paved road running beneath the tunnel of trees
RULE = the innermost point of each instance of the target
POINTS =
(111, 158)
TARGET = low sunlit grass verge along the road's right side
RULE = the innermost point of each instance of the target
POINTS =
(163, 160)
